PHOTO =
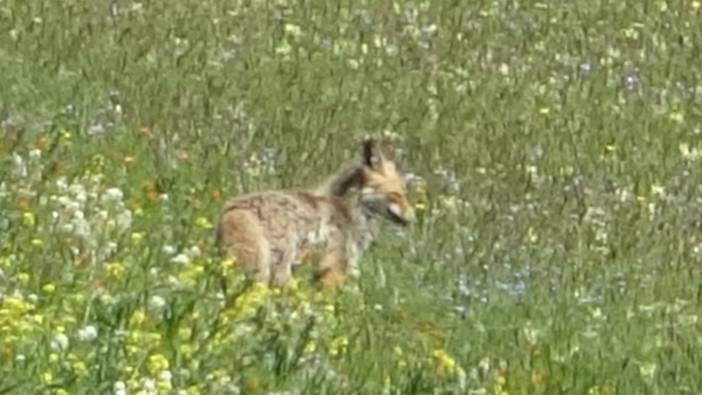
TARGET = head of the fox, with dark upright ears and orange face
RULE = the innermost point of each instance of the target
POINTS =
(383, 186)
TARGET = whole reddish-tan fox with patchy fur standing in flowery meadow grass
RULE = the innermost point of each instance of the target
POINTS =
(270, 232)
